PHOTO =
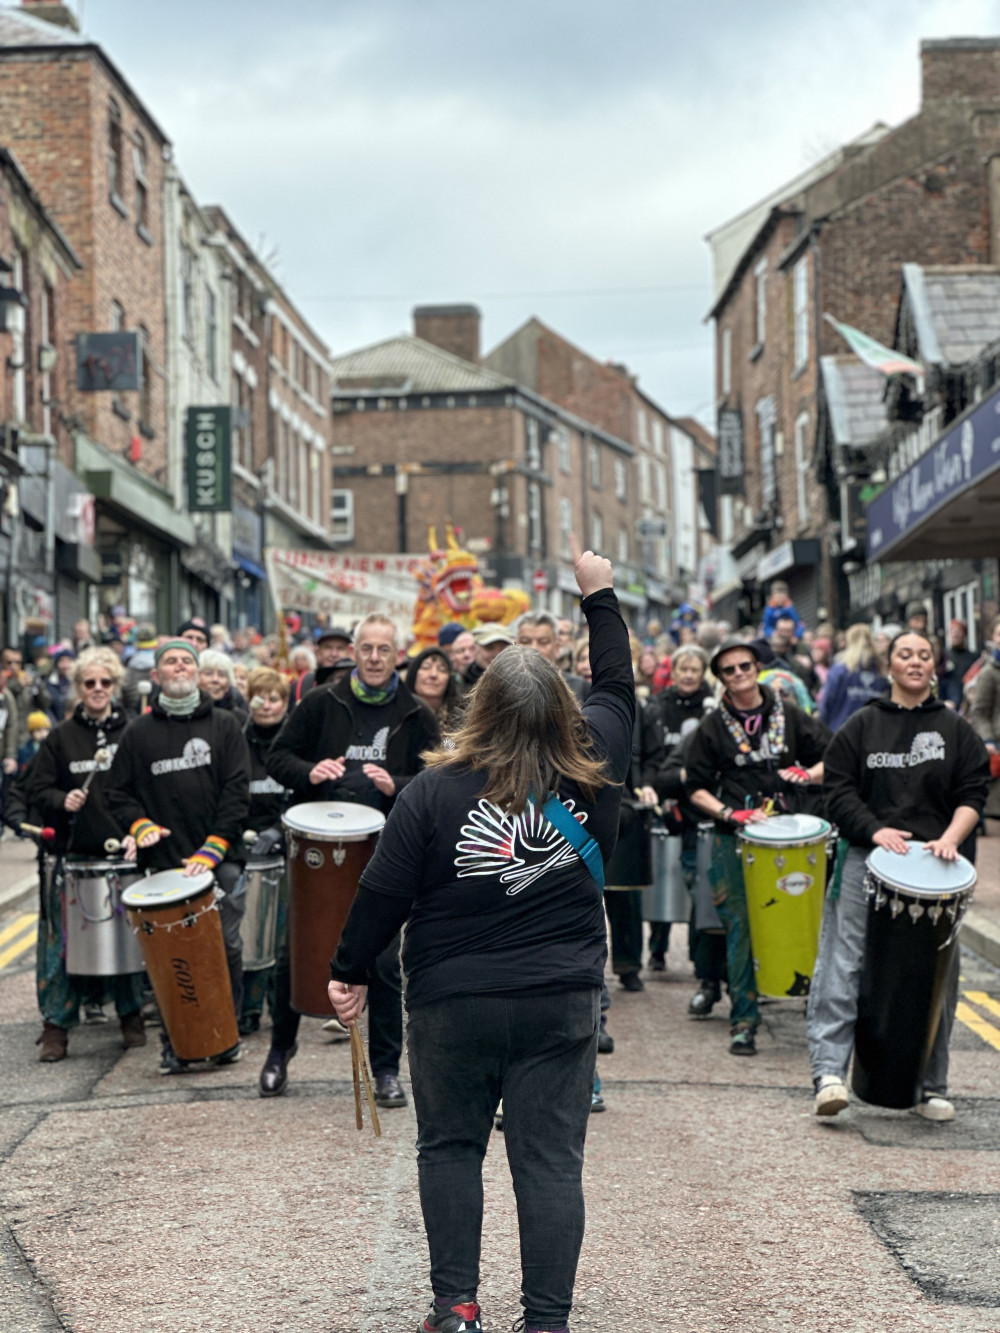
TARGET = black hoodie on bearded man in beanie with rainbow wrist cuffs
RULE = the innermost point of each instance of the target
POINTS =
(190, 775)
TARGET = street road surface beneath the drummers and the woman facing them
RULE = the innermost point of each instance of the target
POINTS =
(131, 1203)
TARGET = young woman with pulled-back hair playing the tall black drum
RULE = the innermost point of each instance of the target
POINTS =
(901, 768)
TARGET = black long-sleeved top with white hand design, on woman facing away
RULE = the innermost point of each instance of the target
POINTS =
(497, 903)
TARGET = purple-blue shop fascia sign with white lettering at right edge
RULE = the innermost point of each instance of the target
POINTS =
(963, 457)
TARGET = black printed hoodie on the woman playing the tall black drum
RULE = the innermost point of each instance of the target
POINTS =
(903, 768)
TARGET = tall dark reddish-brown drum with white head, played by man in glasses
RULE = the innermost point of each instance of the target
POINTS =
(330, 843)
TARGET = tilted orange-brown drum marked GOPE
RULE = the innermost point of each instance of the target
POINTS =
(181, 934)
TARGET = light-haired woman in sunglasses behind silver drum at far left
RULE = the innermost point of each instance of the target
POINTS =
(69, 756)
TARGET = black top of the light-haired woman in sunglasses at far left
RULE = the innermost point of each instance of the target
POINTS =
(65, 760)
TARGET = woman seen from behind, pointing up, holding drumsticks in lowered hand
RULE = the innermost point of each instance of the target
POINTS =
(505, 954)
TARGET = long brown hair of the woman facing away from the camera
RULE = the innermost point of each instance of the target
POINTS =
(525, 730)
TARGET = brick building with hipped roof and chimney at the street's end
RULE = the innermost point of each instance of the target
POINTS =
(423, 437)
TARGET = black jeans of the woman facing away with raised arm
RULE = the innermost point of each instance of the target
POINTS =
(538, 1054)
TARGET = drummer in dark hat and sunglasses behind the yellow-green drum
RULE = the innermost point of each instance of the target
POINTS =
(753, 748)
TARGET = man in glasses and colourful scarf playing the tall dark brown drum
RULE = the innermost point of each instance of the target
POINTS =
(361, 742)
